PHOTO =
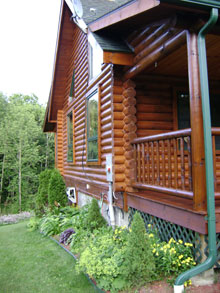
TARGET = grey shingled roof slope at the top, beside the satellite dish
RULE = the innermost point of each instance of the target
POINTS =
(95, 9)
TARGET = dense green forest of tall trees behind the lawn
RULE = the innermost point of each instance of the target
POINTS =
(25, 151)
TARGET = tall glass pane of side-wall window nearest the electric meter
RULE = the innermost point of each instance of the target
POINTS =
(92, 127)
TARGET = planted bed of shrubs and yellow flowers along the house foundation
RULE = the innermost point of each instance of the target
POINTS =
(121, 258)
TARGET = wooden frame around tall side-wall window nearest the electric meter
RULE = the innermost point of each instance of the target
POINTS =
(98, 137)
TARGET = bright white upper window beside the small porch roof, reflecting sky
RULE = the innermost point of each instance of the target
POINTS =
(95, 57)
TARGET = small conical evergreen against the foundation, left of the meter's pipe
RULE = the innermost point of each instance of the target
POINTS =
(94, 219)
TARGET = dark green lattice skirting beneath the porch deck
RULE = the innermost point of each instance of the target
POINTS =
(166, 230)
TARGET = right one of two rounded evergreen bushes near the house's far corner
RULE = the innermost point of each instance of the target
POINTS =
(56, 190)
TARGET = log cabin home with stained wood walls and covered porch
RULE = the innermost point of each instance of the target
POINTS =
(125, 107)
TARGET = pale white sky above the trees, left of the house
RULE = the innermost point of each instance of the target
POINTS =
(28, 33)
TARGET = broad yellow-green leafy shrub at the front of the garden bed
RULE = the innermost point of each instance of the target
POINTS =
(102, 259)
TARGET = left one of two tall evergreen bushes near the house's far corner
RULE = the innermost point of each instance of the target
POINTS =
(42, 195)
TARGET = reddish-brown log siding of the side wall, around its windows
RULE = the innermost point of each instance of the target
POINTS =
(90, 179)
